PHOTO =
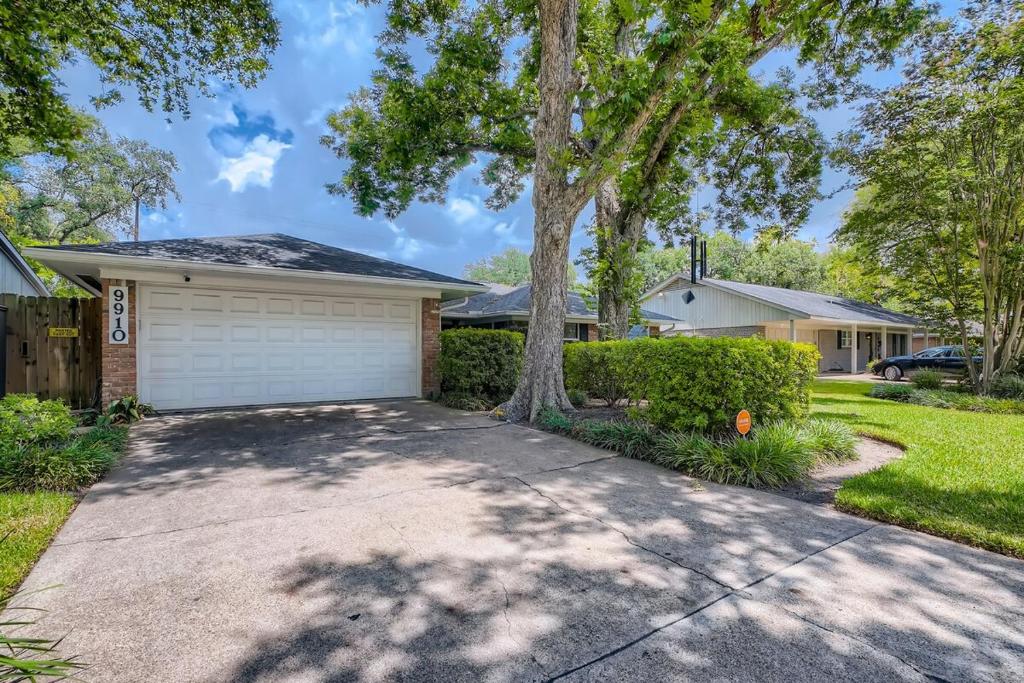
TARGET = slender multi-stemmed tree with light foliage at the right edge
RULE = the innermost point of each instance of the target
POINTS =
(942, 162)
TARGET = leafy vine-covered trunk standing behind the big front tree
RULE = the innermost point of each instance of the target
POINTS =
(619, 234)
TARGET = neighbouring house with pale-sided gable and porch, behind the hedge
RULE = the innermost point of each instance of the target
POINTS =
(849, 334)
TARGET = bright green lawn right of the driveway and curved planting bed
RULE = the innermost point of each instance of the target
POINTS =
(962, 478)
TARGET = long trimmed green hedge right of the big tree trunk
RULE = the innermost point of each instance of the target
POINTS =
(698, 382)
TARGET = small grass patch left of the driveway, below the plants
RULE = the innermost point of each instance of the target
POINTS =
(28, 522)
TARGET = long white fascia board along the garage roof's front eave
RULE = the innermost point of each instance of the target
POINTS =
(117, 263)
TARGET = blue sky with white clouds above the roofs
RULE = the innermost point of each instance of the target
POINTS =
(251, 160)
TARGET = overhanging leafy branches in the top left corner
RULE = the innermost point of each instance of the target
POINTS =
(165, 50)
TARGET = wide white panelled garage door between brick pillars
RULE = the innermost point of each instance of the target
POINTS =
(204, 349)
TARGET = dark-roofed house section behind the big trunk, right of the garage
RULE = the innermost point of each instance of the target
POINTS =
(506, 308)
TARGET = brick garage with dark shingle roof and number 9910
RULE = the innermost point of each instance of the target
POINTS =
(259, 320)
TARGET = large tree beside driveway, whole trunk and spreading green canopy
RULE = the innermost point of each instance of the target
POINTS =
(574, 94)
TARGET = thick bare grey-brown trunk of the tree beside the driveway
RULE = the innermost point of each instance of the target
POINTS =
(554, 214)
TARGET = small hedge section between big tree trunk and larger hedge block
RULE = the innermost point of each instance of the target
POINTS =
(598, 369)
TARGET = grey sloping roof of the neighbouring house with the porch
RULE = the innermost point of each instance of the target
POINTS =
(807, 305)
